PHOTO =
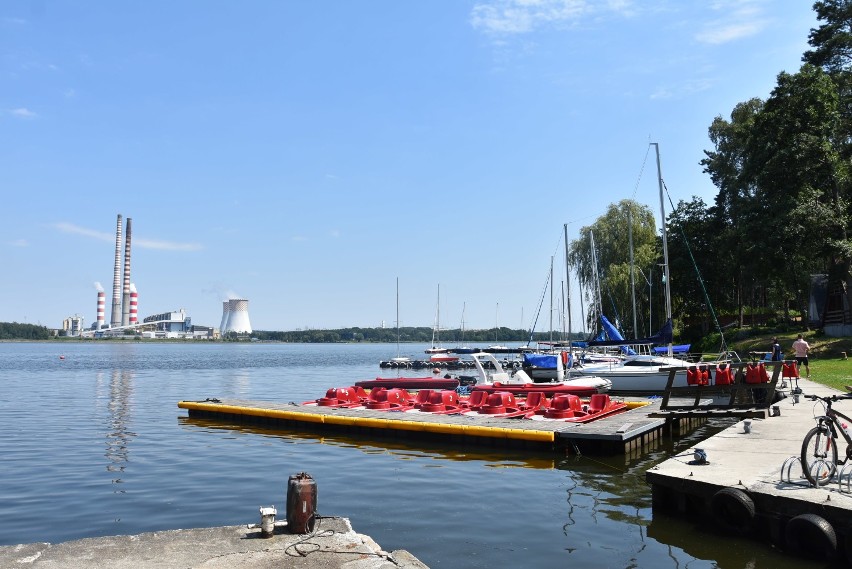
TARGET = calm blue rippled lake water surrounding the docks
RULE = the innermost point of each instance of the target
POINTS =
(94, 444)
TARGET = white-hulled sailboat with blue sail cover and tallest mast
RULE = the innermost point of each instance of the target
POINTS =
(641, 370)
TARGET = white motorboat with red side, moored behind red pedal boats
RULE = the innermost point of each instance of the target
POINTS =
(521, 383)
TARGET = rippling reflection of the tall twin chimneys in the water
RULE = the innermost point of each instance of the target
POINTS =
(119, 407)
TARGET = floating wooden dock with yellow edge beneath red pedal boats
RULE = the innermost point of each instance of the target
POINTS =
(620, 433)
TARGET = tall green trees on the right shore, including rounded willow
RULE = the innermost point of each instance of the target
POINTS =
(783, 211)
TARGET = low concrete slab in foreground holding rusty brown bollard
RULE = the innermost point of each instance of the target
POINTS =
(333, 544)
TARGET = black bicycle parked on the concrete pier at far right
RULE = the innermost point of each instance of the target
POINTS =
(819, 447)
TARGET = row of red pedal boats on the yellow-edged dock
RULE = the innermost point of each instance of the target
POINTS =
(495, 404)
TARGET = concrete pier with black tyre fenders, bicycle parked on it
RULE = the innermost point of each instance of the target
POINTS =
(752, 483)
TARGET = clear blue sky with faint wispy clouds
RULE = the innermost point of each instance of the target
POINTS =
(305, 155)
